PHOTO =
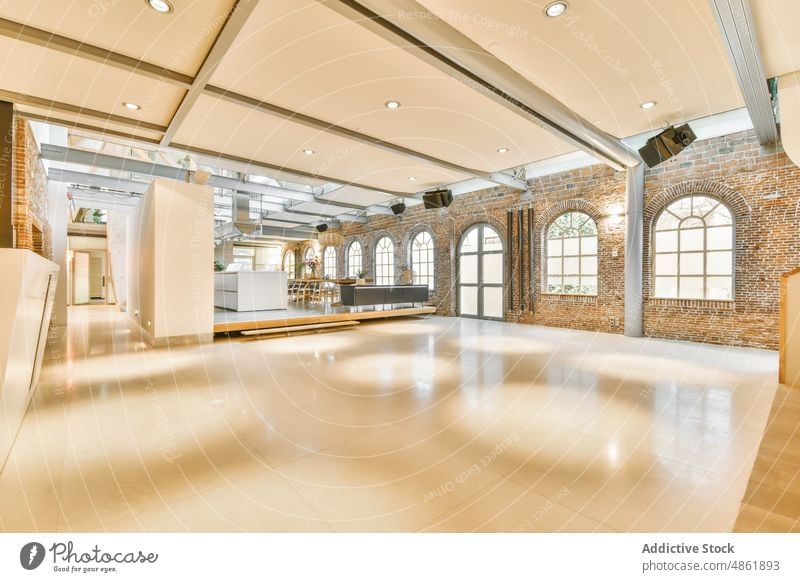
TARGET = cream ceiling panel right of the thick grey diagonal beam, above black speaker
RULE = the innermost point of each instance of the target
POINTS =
(603, 59)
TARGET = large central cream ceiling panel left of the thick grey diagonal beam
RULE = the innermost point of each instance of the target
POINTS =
(305, 57)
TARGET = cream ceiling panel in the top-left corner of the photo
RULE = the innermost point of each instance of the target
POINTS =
(177, 41)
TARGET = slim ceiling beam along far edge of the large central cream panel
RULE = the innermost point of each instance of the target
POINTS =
(349, 134)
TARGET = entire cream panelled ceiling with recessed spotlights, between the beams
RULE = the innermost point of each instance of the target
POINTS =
(601, 59)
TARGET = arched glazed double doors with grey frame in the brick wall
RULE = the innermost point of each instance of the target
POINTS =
(481, 260)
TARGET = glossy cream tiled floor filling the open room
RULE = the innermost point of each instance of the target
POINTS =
(436, 424)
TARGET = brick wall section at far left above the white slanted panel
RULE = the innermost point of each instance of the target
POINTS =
(30, 193)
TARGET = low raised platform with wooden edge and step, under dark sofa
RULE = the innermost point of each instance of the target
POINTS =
(305, 315)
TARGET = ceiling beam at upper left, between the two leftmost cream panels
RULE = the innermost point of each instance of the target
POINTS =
(74, 48)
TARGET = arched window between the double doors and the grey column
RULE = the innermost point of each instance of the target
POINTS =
(572, 255)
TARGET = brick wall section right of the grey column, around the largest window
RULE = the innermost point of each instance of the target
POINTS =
(762, 188)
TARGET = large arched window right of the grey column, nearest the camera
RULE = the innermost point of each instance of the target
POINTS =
(693, 250)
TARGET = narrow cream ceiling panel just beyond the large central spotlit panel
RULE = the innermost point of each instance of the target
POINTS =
(241, 131)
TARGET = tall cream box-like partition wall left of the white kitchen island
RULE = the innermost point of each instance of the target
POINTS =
(171, 263)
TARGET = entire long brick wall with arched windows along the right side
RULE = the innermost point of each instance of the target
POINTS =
(762, 186)
